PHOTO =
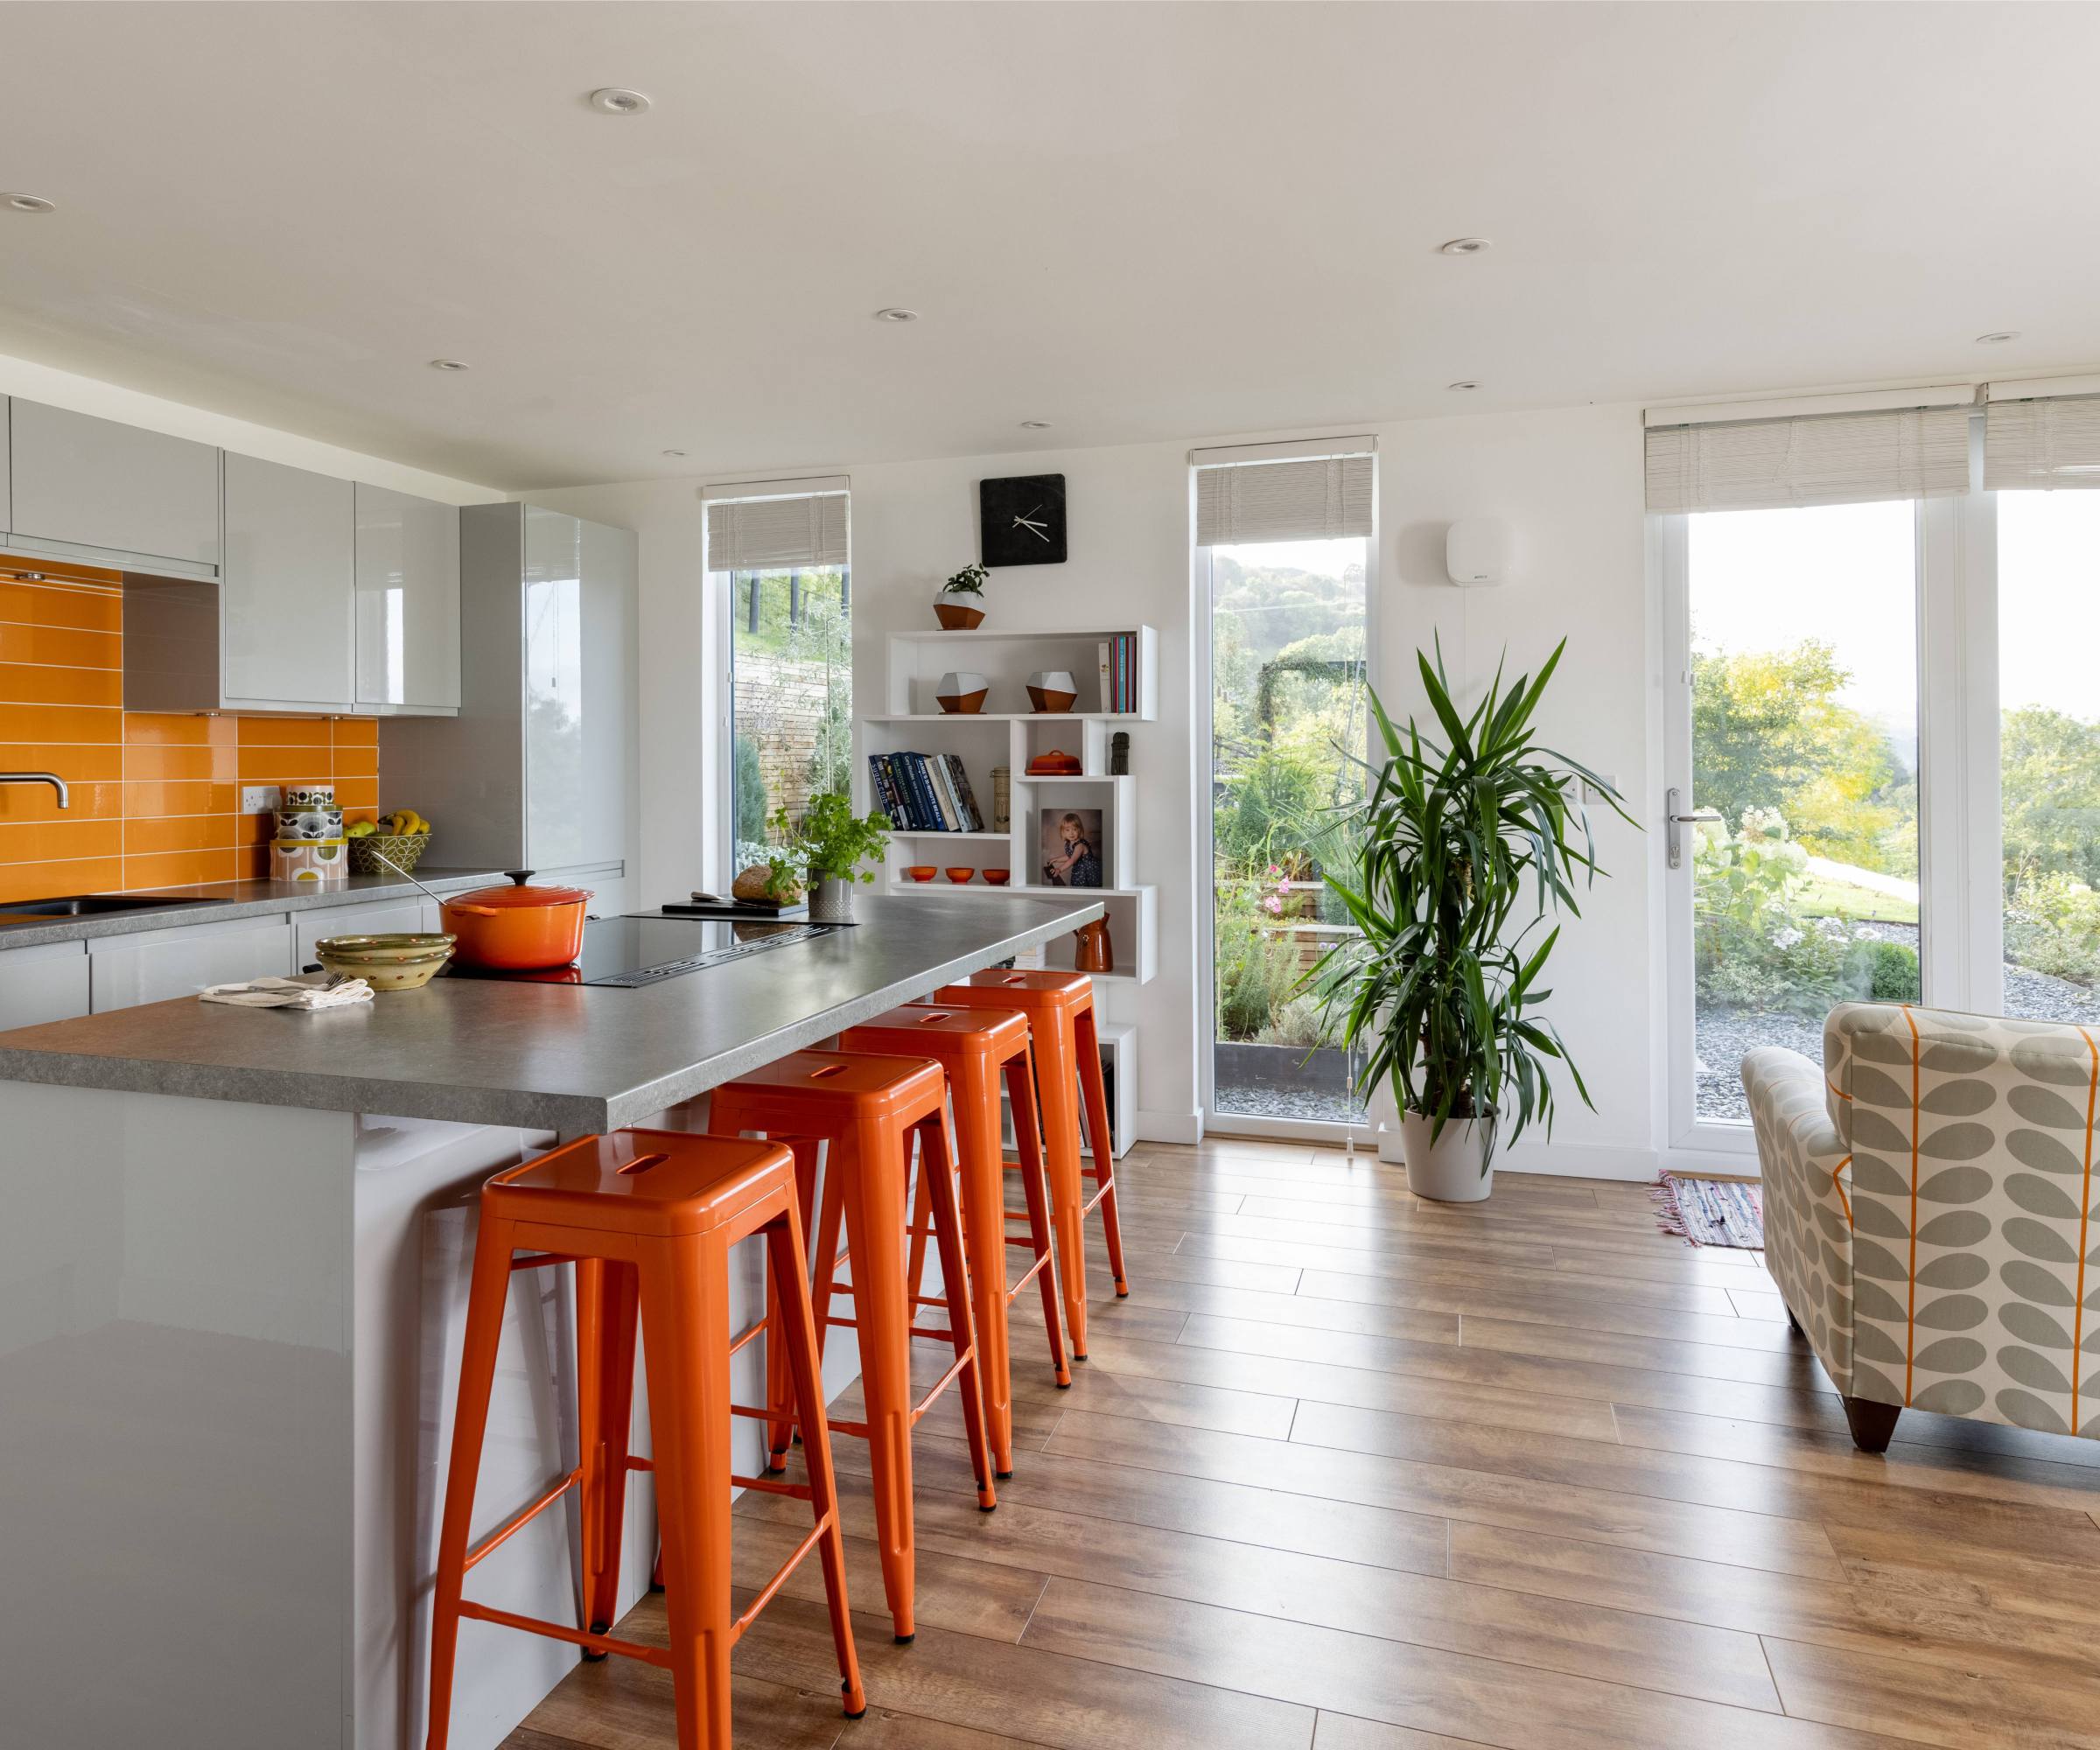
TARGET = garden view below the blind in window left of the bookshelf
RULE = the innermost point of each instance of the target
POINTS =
(791, 696)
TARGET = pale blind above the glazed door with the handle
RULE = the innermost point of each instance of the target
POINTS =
(1828, 459)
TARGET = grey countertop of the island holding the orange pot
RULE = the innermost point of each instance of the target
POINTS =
(547, 1058)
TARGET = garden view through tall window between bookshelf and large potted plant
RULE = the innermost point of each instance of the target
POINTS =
(1288, 696)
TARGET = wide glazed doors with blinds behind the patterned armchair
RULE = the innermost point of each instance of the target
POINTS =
(1885, 741)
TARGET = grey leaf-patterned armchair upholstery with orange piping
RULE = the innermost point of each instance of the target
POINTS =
(1950, 1262)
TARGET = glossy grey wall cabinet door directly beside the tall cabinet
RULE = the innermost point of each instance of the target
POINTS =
(408, 602)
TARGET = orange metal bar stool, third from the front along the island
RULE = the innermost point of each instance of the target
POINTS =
(975, 1047)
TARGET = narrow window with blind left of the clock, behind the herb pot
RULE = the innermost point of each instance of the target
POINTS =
(784, 570)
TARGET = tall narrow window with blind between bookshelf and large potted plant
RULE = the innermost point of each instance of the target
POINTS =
(1284, 551)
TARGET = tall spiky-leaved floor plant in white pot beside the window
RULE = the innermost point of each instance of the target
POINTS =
(1442, 984)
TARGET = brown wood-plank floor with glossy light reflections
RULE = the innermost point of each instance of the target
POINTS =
(1362, 1474)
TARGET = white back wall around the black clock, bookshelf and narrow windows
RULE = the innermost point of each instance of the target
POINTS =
(1568, 482)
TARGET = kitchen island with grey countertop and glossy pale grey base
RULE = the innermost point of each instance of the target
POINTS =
(232, 1291)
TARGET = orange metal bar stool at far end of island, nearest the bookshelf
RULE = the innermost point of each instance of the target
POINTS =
(1068, 1058)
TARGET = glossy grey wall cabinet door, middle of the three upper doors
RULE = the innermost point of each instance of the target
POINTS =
(289, 589)
